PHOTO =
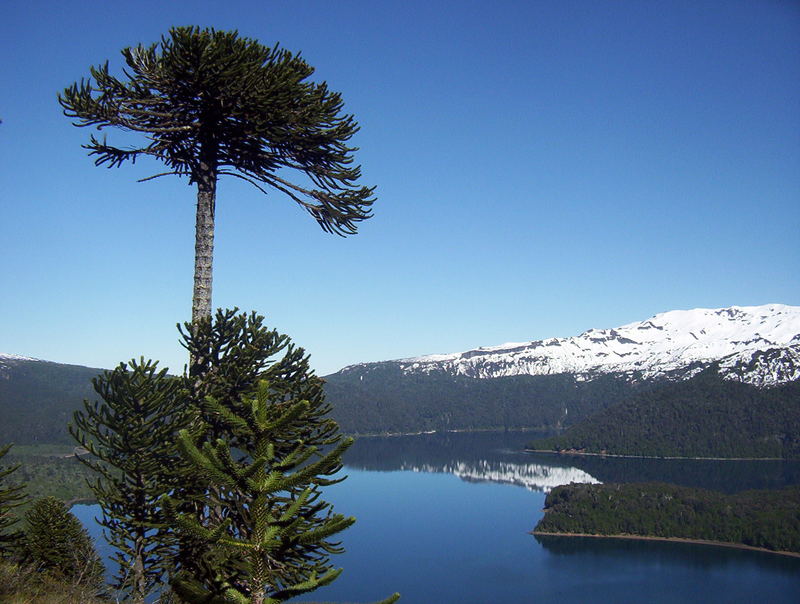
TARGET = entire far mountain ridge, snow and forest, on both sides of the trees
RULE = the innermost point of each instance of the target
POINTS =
(759, 346)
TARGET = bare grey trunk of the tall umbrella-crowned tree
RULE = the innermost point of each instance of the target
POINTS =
(204, 245)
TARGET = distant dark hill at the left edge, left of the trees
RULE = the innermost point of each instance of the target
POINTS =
(37, 399)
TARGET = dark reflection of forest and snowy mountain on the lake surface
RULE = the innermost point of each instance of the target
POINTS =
(499, 457)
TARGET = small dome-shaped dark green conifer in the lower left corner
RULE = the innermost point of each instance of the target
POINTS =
(57, 544)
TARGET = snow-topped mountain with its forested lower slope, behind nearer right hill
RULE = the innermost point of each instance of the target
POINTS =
(557, 382)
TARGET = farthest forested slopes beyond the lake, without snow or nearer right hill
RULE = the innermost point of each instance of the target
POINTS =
(38, 398)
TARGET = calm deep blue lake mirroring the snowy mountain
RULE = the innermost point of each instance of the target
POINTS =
(445, 518)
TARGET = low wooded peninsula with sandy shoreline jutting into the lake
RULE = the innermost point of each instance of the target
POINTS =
(768, 519)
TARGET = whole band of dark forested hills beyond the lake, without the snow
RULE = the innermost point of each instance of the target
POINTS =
(702, 417)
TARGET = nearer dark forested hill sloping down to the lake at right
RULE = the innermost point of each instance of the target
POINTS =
(705, 416)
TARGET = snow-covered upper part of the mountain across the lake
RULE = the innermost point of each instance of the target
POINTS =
(755, 344)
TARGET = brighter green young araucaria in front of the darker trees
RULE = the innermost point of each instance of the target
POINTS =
(276, 530)
